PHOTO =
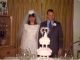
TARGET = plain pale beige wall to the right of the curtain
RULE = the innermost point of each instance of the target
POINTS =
(76, 25)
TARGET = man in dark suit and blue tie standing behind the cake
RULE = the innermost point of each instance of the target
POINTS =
(55, 34)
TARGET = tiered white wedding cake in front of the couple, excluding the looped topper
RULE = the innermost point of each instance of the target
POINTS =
(44, 51)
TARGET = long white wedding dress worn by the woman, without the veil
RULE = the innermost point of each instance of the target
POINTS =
(30, 38)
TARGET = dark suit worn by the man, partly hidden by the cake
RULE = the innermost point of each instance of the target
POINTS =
(56, 37)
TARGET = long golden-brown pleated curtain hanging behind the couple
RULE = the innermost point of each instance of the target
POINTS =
(63, 10)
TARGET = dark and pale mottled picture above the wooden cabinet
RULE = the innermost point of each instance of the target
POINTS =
(3, 7)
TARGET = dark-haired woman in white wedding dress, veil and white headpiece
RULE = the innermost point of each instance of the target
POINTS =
(29, 32)
